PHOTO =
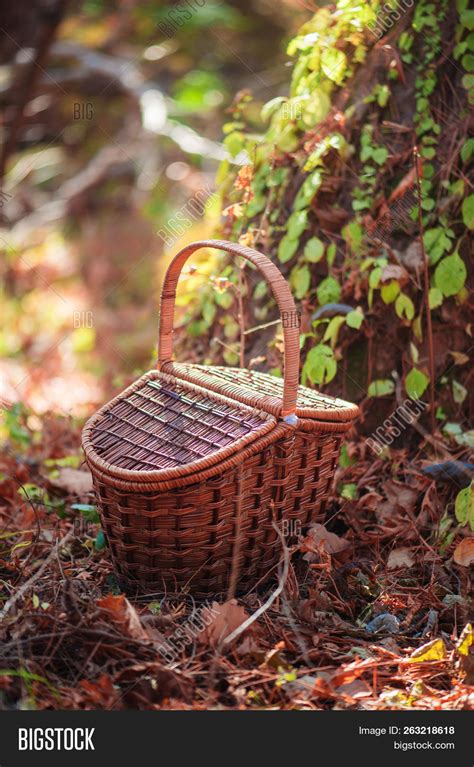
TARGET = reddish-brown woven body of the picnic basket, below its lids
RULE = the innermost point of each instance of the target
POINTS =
(213, 531)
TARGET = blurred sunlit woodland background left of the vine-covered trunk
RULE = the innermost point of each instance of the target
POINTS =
(112, 121)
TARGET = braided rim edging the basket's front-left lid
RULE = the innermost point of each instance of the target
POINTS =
(193, 468)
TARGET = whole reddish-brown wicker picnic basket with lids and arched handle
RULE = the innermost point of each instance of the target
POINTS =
(194, 467)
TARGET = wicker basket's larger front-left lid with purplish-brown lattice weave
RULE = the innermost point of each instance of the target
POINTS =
(161, 428)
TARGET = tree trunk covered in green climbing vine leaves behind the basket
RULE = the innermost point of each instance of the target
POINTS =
(331, 195)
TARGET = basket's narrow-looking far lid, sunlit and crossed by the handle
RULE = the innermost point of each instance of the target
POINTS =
(264, 391)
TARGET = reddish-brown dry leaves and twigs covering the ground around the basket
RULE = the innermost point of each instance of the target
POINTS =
(373, 614)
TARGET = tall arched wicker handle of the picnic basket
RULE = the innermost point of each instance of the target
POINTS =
(281, 293)
